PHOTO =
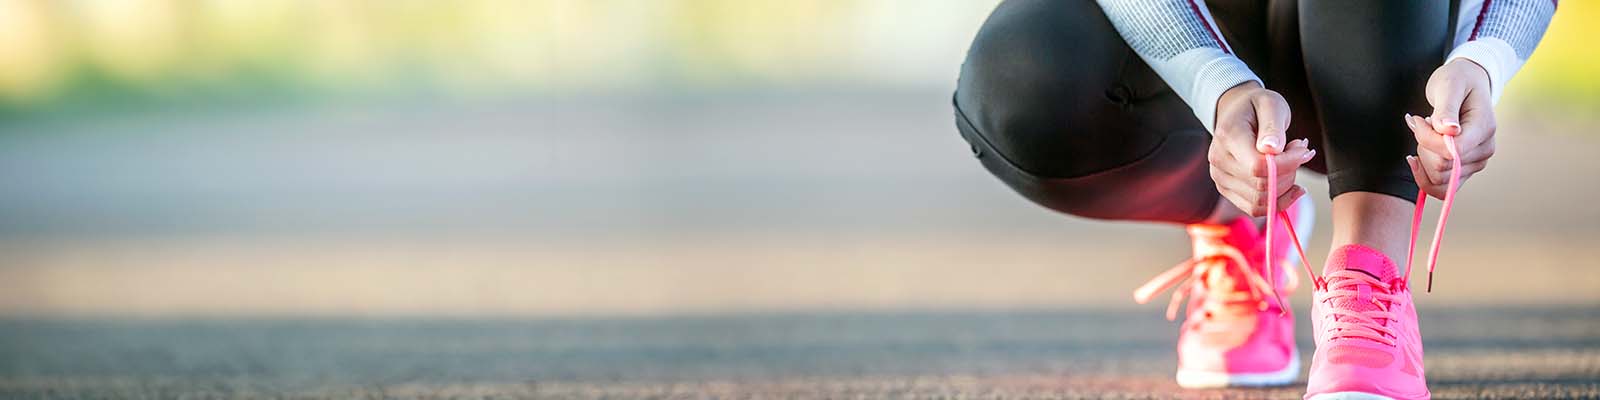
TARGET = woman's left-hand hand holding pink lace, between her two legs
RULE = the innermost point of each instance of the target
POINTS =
(1250, 122)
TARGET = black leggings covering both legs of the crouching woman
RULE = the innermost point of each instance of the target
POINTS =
(1057, 105)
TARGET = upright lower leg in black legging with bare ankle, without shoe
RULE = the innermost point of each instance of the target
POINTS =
(1367, 63)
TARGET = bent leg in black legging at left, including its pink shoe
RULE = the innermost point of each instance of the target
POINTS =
(1057, 105)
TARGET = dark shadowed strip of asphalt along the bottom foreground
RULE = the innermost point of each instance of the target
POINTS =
(1514, 353)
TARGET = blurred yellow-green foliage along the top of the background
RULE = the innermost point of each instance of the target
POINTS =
(60, 52)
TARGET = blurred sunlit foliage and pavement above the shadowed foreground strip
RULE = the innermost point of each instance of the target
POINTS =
(607, 158)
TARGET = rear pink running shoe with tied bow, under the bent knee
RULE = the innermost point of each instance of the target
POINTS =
(1238, 332)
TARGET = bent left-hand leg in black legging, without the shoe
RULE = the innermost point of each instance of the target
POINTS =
(1057, 105)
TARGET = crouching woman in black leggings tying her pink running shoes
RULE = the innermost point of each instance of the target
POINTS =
(1180, 111)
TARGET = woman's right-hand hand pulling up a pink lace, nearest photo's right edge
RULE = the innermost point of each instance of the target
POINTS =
(1460, 94)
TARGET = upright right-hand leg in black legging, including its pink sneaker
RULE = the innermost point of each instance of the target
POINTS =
(1367, 65)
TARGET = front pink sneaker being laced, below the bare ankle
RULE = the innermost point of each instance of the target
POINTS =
(1366, 330)
